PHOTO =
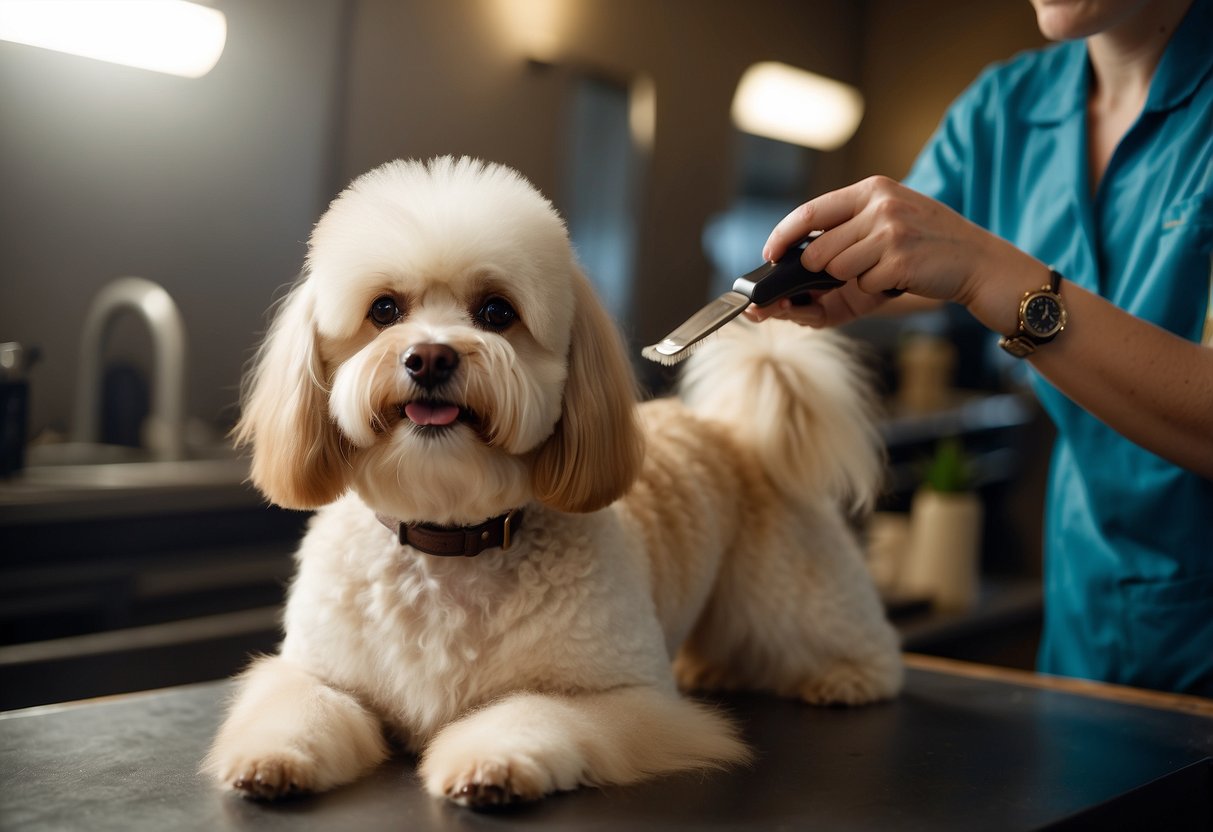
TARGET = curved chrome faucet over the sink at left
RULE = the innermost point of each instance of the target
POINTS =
(164, 432)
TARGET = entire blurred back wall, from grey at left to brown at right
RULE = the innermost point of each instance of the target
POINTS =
(210, 186)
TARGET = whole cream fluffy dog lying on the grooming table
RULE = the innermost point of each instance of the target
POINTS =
(445, 362)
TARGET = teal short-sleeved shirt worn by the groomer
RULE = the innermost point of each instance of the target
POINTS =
(1129, 537)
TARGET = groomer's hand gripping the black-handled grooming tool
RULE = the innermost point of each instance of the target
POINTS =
(881, 236)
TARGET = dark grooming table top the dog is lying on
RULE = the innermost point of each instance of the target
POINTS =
(958, 751)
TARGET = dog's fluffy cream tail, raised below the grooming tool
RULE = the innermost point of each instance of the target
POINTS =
(800, 400)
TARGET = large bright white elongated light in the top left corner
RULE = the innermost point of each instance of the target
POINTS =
(164, 36)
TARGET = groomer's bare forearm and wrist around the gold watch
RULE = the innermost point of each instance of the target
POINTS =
(1153, 387)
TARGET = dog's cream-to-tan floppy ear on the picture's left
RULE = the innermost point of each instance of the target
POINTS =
(297, 449)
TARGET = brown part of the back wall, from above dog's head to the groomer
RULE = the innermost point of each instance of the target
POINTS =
(436, 78)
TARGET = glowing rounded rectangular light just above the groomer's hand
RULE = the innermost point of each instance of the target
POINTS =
(791, 105)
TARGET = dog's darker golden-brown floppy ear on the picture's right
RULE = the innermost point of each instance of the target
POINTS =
(595, 454)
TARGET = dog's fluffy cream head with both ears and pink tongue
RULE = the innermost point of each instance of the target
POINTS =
(443, 356)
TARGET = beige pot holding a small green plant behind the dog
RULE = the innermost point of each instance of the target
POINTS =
(944, 555)
